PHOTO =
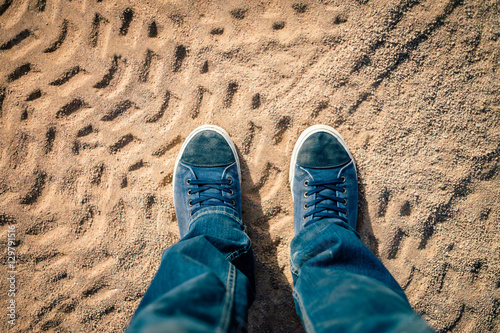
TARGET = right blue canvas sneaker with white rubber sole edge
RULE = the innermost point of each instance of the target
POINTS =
(323, 178)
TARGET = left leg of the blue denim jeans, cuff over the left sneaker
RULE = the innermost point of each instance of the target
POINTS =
(205, 281)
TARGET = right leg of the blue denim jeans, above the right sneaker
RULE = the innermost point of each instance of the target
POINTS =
(340, 286)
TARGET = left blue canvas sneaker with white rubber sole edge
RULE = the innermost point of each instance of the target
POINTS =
(206, 173)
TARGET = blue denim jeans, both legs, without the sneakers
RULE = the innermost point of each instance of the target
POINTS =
(205, 282)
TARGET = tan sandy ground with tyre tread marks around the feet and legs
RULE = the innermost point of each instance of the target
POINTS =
(96, 98)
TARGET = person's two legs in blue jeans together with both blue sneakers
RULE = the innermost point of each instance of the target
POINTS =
(205, 282)
